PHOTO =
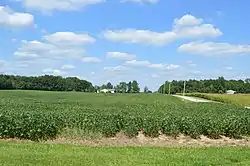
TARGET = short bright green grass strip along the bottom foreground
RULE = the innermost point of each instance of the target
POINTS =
(44, 154)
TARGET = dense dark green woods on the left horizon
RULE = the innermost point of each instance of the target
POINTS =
(46, 82)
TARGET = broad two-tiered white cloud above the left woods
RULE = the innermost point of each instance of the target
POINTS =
(60, 45)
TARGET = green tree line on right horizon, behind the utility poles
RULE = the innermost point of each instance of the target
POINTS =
(219, 85)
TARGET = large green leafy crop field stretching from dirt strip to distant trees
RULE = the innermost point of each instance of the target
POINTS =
(38, 115)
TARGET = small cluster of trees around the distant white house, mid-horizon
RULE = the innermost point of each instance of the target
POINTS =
(122, 87)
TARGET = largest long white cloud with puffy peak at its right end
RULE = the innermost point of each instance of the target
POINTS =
(186, 27)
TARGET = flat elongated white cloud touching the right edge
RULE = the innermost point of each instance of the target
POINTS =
(217, 49)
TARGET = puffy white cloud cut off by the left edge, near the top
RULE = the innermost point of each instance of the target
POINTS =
(14, 19)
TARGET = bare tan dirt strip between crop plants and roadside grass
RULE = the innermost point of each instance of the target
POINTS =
(161, 141)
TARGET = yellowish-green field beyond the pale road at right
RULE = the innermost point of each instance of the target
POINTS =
(239, 99)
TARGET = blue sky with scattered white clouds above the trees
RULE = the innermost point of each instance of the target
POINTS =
(112, 40)
